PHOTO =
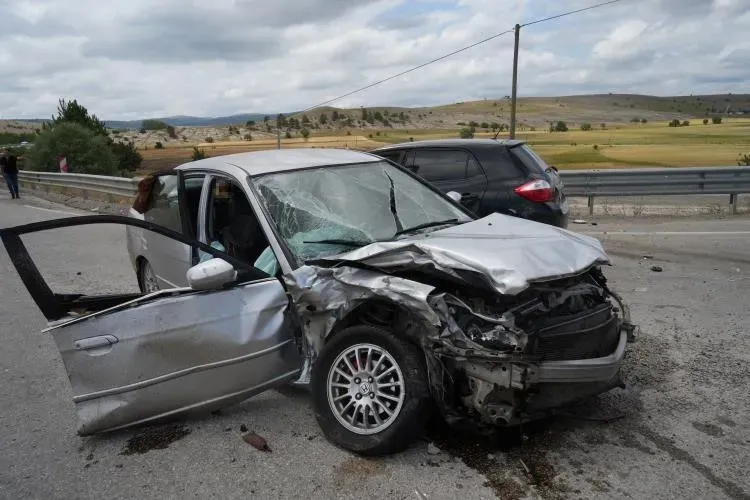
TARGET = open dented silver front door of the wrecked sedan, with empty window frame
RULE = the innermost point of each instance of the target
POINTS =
(133, 358)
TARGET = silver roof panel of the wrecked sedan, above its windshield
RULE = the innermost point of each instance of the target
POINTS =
(281, 160)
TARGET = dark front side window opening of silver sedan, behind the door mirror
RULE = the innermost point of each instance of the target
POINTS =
(232, 227)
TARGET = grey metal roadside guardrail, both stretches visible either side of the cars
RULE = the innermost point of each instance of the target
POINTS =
(588, 183)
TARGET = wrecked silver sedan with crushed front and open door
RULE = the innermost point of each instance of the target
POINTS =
(343, 271)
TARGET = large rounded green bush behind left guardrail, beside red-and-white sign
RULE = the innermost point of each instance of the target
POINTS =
(85, 151)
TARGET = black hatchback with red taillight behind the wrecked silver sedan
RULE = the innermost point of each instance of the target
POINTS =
(504, 176)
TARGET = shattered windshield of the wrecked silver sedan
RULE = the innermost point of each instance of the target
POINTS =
(325, 211)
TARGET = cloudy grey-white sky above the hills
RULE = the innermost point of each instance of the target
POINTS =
(128, 59)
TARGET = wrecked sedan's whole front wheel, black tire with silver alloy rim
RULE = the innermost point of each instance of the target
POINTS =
(383, 404)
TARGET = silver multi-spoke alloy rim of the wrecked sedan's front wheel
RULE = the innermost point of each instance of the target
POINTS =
(365, 389)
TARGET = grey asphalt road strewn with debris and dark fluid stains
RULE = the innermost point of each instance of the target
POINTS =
(684, 430)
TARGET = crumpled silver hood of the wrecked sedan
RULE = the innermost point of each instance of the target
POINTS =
(502, 252)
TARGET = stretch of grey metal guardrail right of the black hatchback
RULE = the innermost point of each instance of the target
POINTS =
(657, 182)
